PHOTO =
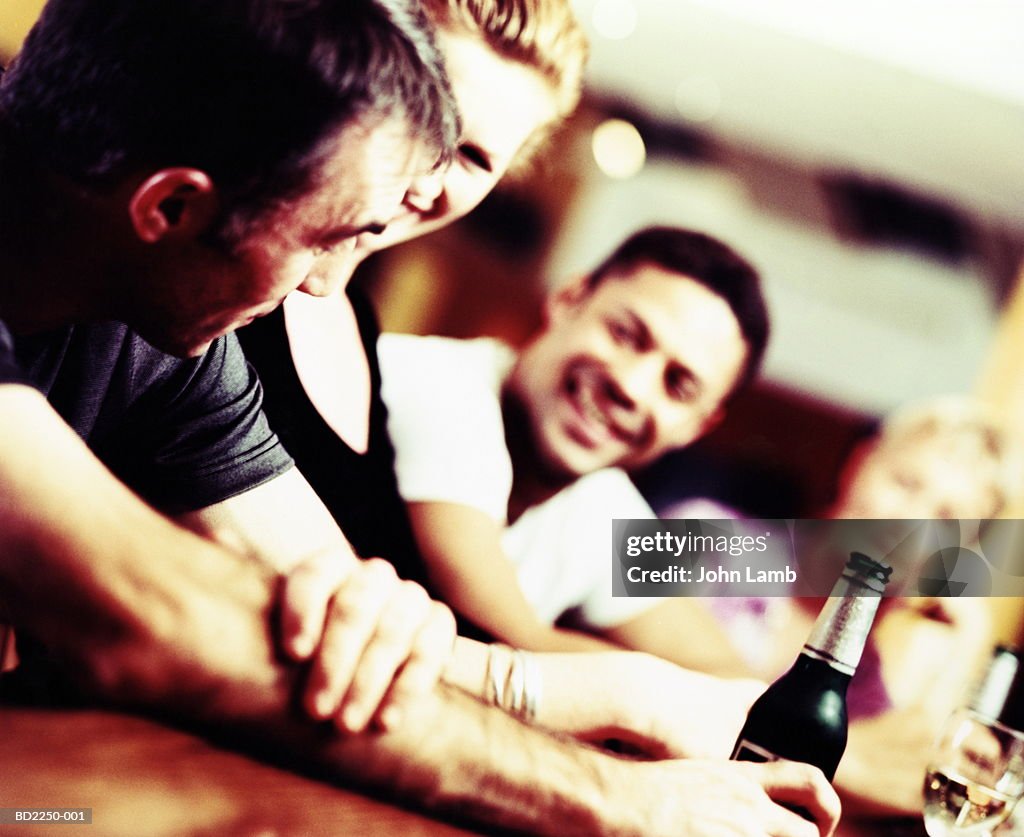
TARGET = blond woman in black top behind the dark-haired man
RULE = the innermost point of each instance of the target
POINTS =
(517, 71)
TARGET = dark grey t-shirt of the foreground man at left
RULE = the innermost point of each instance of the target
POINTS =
(183, 434)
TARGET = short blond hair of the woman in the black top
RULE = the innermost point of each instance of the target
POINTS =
(543, 35)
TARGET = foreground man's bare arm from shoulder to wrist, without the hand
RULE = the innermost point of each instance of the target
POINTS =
(146, 614)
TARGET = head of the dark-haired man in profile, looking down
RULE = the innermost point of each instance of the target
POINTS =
(237, 112)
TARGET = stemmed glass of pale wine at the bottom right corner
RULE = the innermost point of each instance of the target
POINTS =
(975, 777)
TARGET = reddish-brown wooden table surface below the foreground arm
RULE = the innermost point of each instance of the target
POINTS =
(146, 780)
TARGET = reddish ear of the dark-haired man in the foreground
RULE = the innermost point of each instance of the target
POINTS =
(173, 203)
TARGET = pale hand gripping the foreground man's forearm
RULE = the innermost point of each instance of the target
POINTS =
(375, 641)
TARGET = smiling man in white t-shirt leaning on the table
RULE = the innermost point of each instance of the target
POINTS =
(513, 466)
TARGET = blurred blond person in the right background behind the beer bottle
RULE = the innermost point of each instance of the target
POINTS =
(942, 458)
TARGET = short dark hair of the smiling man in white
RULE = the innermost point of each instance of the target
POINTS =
(712, 264)
